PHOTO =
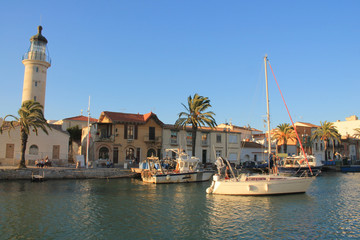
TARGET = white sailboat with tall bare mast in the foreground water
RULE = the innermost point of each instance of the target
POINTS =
(259, 184)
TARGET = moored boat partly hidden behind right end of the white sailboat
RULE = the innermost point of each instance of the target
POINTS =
(296, 165)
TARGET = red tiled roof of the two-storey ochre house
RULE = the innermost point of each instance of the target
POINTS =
(130, 117)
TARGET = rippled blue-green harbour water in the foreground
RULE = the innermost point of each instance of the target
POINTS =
(130, 209)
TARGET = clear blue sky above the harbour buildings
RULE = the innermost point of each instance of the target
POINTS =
(141, 56)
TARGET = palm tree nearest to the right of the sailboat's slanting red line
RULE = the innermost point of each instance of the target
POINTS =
(326, 132)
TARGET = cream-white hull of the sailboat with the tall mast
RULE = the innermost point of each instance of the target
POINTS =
(268, 185)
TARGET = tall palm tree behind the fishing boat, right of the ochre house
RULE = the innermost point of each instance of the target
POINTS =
(196, 116)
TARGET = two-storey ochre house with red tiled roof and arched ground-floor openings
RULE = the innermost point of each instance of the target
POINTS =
(125, 138)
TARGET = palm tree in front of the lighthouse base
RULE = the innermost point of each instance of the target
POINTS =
(31, 118)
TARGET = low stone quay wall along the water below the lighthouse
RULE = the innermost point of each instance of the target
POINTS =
(63, 173)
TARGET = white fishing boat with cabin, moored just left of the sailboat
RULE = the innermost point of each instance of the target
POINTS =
(187, 169)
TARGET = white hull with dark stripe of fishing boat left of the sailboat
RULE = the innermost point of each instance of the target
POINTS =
(199, 176)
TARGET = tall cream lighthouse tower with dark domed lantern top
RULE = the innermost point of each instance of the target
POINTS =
(36, 62)
